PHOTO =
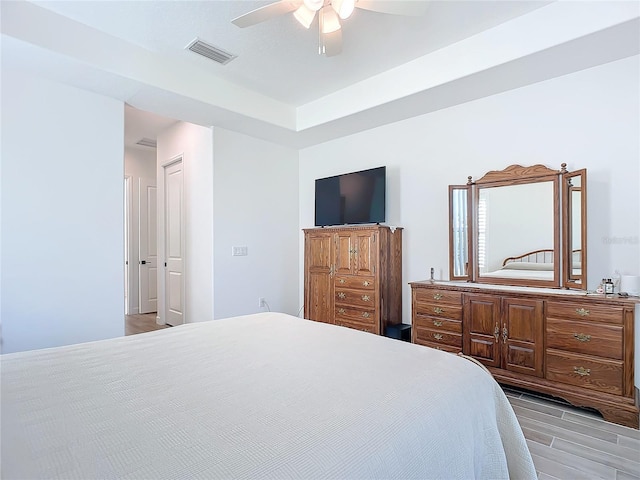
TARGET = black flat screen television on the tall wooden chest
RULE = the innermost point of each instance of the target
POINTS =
(357, 197)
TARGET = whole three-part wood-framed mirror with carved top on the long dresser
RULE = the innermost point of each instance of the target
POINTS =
(524, 225)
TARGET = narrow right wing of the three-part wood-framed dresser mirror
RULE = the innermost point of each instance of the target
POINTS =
(574, 198)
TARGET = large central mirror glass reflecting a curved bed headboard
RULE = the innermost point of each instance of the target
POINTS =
(516, 232)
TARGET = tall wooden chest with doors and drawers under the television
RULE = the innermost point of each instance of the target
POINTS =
(352, 276)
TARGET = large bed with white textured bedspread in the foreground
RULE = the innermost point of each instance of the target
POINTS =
(260, 396)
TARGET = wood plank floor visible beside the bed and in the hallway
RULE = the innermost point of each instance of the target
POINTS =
(566, 442)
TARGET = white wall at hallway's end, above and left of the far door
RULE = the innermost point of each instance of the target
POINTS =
(137, 164)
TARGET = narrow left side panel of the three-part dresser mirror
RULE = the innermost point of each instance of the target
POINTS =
(459, 232)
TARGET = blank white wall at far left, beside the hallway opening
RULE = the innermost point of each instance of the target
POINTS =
(62, 214)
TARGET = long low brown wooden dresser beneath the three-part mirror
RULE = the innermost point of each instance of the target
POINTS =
(576, 347)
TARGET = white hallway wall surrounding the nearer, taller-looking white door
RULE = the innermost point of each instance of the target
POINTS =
(194, 144)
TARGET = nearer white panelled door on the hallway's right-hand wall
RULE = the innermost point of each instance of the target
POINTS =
(174, 243)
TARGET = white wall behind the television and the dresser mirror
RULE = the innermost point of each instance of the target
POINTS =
(589, 119)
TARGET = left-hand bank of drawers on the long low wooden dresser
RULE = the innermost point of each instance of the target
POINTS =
(437, 319)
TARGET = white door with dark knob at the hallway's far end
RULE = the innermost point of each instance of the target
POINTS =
(147, 249)
